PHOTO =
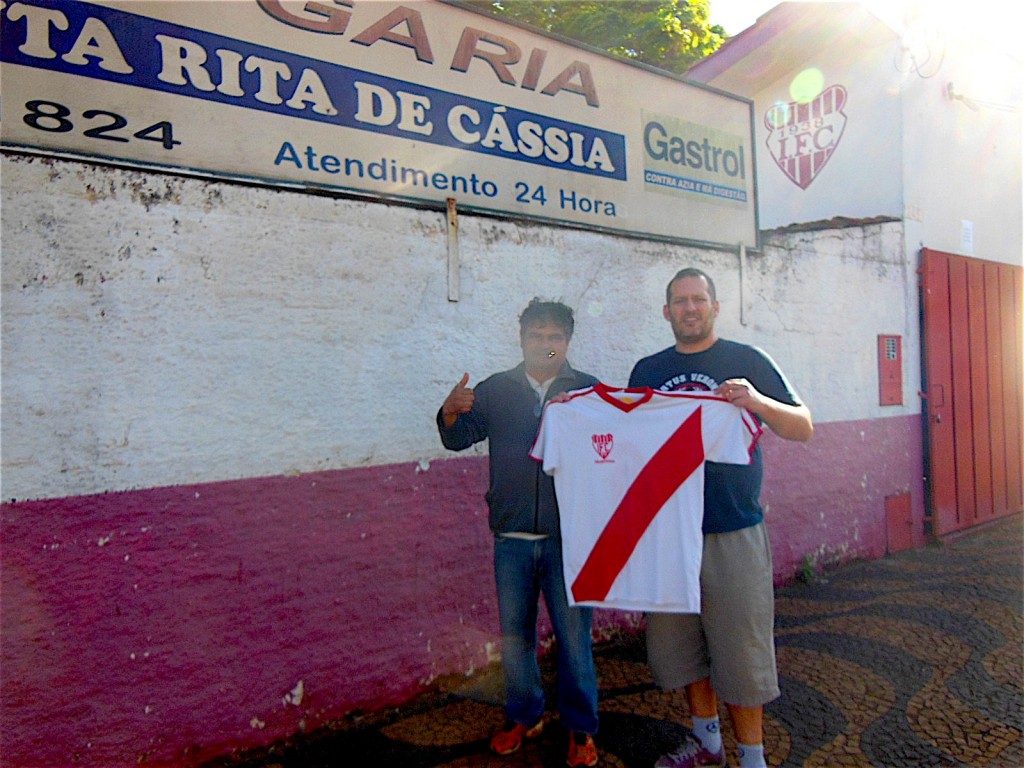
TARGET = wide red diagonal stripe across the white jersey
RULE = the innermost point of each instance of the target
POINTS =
(681, 455)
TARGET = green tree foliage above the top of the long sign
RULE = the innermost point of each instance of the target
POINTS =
(669, 34)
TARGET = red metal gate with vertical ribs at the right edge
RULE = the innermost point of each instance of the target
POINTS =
(974, 389)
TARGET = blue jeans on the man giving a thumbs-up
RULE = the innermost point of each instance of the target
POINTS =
(523, 571)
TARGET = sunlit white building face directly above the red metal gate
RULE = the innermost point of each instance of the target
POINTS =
(963, 143)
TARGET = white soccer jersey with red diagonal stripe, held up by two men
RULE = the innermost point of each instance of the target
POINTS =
(628, 466)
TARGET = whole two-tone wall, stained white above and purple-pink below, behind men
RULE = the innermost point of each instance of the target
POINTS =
(221, 471)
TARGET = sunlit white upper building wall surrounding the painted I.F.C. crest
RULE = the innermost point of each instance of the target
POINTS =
(911, 148)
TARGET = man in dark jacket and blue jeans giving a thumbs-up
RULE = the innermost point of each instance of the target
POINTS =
(505, 409)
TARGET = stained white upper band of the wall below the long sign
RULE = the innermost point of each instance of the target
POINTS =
(161, 330)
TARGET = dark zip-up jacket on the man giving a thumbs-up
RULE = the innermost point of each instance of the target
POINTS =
(507, 413)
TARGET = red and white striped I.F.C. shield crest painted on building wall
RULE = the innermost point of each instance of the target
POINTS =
(803, 137)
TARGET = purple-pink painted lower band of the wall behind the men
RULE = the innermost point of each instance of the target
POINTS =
(168, 626)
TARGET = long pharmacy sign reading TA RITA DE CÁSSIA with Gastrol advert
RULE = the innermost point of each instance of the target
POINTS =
(415, 103)
